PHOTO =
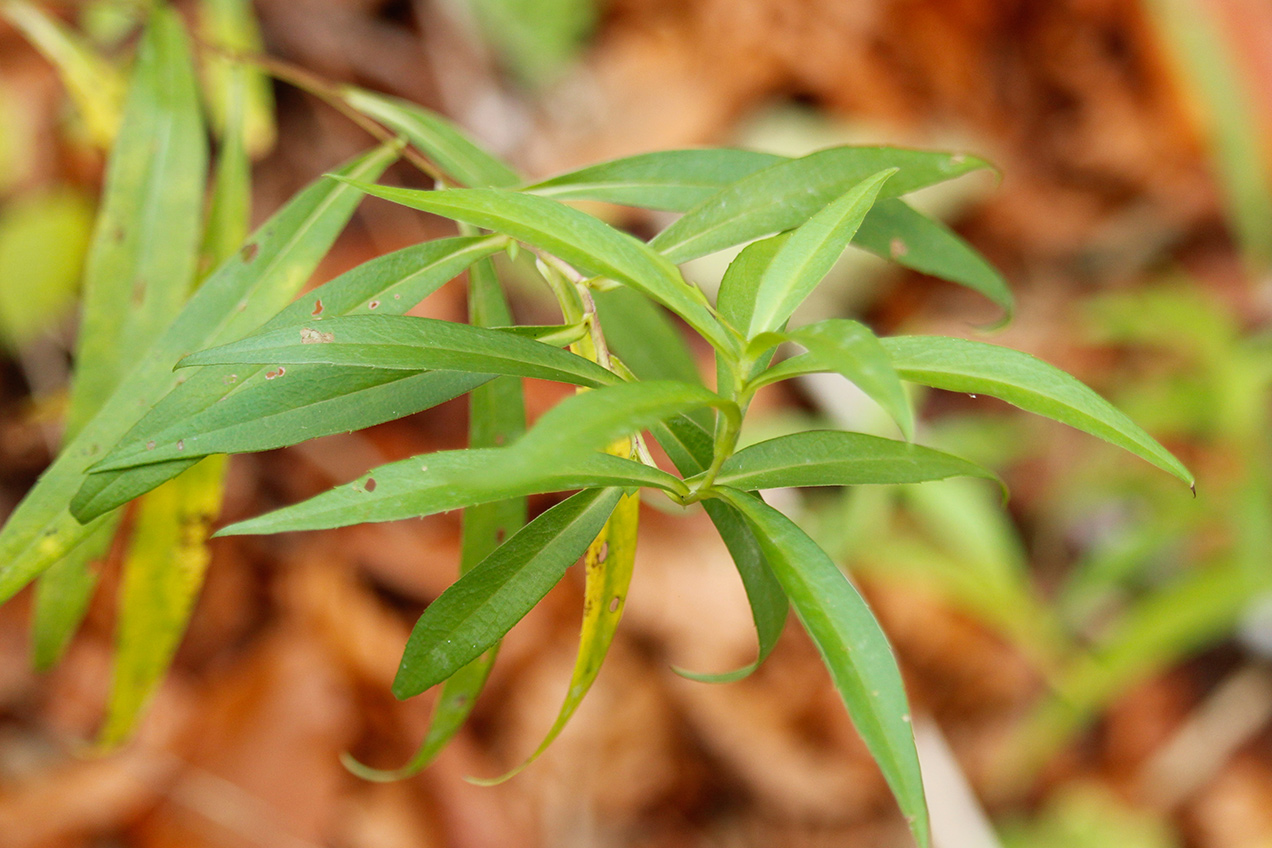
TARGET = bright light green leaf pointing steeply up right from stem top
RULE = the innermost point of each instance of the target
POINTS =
(805, 260)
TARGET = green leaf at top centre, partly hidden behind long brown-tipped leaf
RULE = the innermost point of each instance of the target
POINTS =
(668, 180)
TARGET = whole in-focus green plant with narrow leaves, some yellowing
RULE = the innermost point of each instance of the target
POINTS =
(254, 373)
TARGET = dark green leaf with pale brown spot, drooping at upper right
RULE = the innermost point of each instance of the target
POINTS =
(896, 232)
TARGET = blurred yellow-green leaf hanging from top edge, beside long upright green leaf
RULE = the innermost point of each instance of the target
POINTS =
(232, 26)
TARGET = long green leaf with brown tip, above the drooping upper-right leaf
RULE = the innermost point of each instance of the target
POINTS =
(788, 194)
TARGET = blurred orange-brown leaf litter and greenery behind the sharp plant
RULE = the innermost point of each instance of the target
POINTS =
(1089, 664)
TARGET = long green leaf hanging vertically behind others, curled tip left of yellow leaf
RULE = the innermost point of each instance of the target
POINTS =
(497, 416)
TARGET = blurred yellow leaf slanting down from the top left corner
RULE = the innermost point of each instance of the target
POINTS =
(95, 86)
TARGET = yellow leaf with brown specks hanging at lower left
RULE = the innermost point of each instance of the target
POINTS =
(162, 577)
